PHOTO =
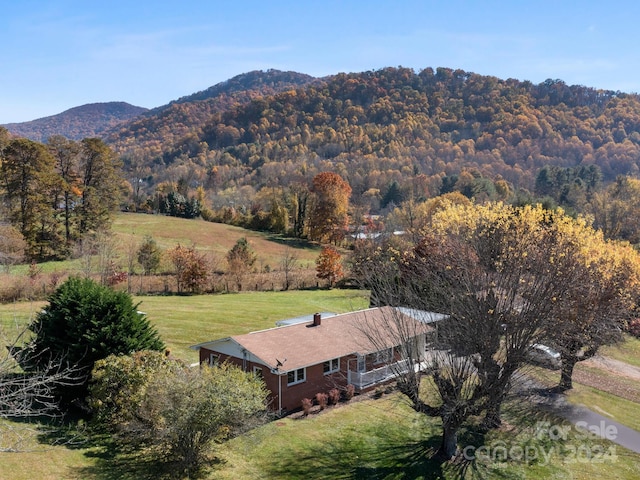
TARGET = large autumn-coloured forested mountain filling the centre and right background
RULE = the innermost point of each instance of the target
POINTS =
(396, 126)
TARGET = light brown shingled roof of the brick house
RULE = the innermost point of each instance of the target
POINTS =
(303, 344)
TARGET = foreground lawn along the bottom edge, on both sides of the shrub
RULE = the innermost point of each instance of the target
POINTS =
(370, 439)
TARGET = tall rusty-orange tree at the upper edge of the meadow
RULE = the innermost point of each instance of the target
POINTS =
(328, 219)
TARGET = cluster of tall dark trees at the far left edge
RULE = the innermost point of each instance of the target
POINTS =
(56, 194)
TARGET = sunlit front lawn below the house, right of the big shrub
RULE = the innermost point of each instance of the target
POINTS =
(385, 439)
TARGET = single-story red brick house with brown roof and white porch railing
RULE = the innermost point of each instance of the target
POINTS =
(300, 359)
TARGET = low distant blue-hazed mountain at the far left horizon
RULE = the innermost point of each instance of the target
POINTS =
(89, 120)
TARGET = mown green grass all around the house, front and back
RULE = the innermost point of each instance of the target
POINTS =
(366, 439)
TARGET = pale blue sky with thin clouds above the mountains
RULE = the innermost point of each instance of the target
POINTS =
(64, 53)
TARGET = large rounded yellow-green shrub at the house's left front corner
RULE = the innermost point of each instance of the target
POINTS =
(184, 413)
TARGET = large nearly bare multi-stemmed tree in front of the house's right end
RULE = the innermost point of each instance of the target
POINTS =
(498, 275)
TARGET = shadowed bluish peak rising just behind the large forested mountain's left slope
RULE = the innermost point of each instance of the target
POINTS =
(160, 128)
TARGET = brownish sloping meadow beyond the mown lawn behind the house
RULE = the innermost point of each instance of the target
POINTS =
(213, 240)
